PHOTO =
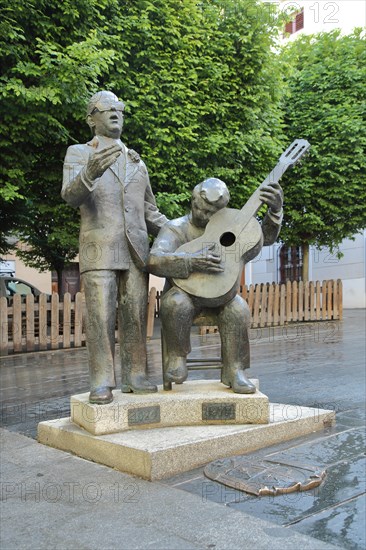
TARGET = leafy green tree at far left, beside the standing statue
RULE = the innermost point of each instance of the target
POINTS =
(51, 58)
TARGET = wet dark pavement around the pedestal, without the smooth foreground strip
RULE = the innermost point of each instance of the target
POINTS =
(321, 365)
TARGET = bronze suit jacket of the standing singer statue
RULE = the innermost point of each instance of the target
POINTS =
(117, 211)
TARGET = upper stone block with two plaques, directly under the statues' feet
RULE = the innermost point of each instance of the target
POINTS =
(194, 403)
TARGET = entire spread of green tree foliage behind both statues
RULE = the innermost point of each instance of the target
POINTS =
(203, 90)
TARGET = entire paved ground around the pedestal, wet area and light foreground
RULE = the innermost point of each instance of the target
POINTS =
(52, 499)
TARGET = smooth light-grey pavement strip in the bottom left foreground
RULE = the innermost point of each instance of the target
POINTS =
(56, 500)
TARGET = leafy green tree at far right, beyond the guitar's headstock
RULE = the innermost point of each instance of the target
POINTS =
(325, 198)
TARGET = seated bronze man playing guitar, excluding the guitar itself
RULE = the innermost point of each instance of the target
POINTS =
(178, 308)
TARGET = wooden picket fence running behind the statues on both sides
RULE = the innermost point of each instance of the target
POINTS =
(43, 323)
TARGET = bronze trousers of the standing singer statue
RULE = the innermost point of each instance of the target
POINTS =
(104, 291)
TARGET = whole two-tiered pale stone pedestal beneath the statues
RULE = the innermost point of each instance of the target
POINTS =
(154, 452)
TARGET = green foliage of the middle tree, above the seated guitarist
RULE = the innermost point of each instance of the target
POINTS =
(202, 89)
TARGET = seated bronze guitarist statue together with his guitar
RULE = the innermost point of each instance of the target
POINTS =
(202, 255)
